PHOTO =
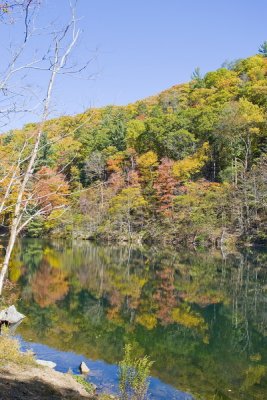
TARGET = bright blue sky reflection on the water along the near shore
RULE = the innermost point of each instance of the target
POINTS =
(104, 375)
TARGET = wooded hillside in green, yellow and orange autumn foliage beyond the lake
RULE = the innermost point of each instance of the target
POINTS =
(187, 166)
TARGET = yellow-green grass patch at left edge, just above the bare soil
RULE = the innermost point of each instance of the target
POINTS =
(10, 353)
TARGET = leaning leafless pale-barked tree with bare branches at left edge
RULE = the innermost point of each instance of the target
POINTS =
(61, 53)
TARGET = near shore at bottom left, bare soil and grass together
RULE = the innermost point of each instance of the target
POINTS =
(22, 378)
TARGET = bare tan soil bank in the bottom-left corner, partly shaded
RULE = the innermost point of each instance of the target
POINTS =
(34, 383)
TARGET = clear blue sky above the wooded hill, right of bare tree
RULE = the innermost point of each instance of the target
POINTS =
(145, 46)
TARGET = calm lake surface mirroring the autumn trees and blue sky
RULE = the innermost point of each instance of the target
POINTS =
(201, 316)
